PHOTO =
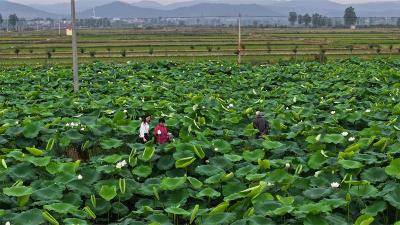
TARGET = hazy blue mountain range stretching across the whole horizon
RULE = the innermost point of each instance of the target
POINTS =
(146, 8)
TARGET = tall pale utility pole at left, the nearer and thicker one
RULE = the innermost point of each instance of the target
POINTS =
(74, 48)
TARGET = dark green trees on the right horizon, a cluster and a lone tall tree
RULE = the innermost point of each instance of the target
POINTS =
(317, 20)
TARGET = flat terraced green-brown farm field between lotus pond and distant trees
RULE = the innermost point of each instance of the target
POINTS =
(196, 44)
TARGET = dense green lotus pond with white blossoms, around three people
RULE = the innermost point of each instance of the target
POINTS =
(332, 156)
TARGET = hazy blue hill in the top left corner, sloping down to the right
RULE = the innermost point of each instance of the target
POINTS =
(22, 11)
